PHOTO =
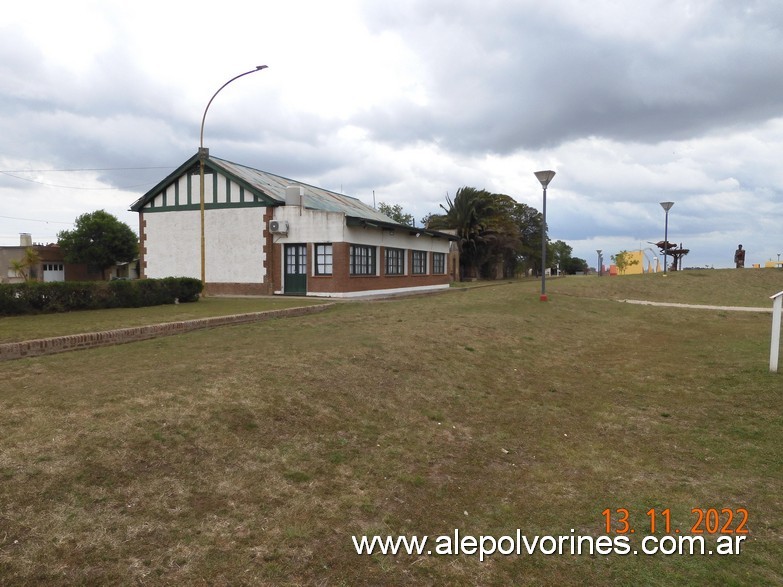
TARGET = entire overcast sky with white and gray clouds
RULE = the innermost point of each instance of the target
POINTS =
(632, 103)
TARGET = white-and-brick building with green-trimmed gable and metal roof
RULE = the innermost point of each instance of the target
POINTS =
(267, 234)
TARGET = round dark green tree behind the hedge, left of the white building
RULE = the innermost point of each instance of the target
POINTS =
(100, 240)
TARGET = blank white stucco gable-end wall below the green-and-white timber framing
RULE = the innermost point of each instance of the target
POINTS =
(234, 244)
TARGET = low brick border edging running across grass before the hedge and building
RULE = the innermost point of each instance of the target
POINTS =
(90, 340)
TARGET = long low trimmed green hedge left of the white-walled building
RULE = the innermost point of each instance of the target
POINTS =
(65, 296)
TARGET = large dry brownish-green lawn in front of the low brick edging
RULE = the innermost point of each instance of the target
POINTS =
(250, 455)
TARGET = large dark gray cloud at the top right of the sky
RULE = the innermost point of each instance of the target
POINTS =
(503, 77)
